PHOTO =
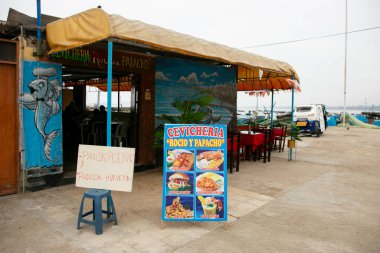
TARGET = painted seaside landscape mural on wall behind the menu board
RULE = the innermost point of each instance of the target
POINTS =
(190, 92)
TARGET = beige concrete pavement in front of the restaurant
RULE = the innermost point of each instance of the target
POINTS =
(326, 201)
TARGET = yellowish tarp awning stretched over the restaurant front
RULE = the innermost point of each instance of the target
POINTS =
(95, 25)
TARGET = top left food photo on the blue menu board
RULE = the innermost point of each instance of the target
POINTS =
(180, 159)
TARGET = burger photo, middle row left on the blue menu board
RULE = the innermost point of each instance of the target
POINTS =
(179, 183)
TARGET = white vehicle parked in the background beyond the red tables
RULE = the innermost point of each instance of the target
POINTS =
(310, 118)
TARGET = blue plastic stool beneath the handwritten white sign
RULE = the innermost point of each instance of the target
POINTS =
(97, 195)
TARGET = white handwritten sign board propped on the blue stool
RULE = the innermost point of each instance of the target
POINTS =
(109, 168)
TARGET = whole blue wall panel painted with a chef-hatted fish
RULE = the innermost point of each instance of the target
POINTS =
(42, 113)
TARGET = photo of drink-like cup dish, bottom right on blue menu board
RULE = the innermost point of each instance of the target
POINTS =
(210, 207)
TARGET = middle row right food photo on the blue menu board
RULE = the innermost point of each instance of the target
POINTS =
(210, 183)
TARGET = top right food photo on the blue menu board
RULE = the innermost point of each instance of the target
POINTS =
(210, 159)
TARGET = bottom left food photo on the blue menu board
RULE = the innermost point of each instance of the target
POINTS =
(179, 207)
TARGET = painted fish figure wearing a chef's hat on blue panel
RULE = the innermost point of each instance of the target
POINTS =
(43, 100)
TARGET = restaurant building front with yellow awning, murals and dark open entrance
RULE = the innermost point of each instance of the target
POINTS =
(160, 78)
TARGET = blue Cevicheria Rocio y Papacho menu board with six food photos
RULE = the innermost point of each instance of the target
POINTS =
(194, 173)
